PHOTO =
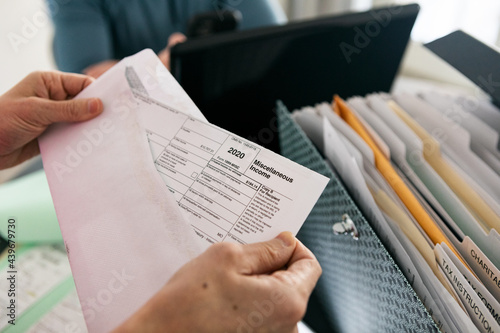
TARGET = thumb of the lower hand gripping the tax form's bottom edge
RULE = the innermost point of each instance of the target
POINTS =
(267, 257)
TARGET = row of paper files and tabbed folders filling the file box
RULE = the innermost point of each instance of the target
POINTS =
(425, 172)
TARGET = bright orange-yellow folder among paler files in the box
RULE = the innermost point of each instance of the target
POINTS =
(388, 172)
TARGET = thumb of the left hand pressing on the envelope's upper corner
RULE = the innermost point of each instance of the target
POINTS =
(73, 110)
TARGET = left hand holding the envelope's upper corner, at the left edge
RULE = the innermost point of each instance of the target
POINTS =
(35, 103)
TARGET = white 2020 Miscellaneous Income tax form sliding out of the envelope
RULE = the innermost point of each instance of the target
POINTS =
(230, 188)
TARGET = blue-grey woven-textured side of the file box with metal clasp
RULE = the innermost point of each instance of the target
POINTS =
(361, 289)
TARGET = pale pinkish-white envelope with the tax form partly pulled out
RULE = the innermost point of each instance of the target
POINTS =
(124, 234)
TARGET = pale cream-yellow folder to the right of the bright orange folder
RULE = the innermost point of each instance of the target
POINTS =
(432, 154)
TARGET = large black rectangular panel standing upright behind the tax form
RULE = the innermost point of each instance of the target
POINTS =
(235, 78)
